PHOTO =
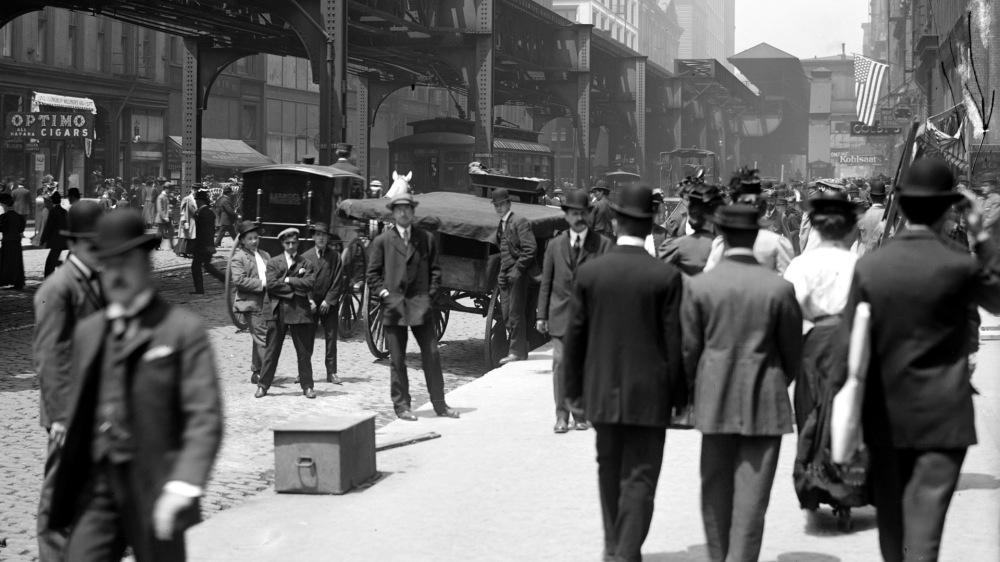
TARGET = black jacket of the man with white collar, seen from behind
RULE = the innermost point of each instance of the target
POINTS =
(622, 349)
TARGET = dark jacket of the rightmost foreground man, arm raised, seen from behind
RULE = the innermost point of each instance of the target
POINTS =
(920, 294)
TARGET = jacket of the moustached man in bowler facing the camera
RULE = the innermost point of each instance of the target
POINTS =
(558, 274)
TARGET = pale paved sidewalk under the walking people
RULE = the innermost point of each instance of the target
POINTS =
(499, 485)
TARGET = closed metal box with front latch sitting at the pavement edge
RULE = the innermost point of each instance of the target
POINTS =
(324, 454)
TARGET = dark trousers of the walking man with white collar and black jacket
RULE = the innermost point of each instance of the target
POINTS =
(629, 458)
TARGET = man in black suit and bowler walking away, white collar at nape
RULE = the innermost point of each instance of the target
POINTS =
(623, 358)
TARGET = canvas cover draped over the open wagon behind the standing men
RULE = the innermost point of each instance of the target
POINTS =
(459, 214)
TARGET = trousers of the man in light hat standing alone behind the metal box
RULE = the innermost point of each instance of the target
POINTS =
(430, 361)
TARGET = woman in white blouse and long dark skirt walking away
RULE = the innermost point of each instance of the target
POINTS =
(822, 278)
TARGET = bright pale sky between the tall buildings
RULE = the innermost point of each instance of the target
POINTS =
(804, 28)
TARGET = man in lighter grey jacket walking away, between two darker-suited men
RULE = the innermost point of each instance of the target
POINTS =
(742, 348)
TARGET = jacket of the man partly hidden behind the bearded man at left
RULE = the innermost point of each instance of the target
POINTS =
(64, 299)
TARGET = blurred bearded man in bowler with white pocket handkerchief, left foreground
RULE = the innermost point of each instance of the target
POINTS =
(145, 420)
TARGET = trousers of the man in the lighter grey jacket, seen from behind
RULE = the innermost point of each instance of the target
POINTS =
(737, 473)
